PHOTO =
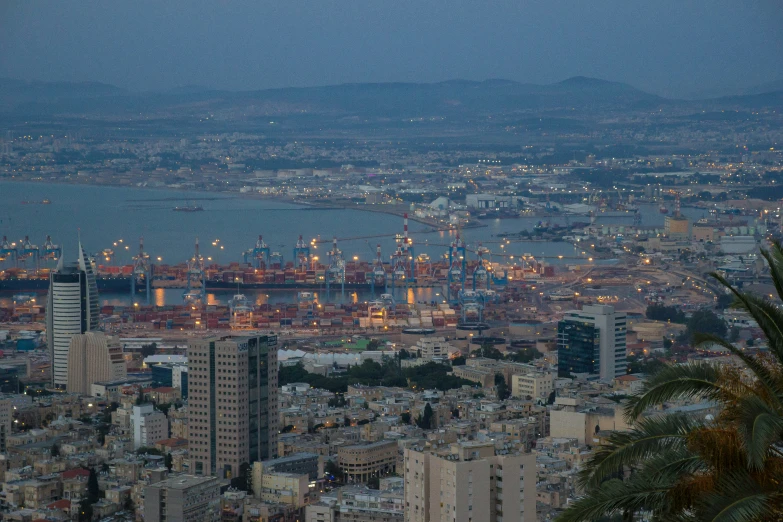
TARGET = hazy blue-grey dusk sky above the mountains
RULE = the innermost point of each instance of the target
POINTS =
(664, 46)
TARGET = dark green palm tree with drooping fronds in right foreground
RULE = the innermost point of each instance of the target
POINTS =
(677, 468)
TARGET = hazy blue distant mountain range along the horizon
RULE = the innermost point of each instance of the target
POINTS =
(455, 98)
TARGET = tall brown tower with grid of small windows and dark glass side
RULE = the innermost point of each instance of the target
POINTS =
(232, 402)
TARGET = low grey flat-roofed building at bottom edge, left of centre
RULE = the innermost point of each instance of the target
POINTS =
(183, 499)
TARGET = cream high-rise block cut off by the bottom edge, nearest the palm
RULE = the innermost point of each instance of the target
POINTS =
(468, 482)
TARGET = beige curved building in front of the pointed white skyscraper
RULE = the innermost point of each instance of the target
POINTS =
(93, 357)
